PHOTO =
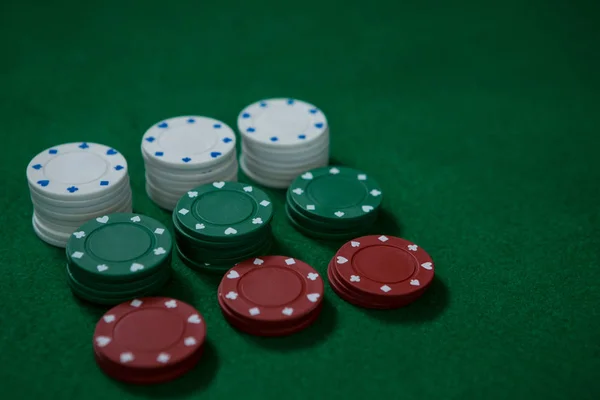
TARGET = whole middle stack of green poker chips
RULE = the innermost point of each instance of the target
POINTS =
(219, 224)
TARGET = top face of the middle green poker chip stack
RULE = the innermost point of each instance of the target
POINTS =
(224, 210)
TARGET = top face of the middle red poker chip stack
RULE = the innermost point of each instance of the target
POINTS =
(272, 288)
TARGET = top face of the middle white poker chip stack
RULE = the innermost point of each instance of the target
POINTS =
(189, 141)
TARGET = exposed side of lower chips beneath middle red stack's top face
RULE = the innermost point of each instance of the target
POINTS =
(268, 328)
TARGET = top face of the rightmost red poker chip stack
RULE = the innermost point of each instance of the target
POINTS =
(384, 265)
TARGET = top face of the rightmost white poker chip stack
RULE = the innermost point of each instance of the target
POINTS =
(282, 122)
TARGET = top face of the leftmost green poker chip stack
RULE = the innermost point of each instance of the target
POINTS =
(120, 245)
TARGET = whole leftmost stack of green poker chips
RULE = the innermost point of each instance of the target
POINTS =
(119, 257)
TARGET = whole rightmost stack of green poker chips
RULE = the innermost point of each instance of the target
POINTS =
(333, 203)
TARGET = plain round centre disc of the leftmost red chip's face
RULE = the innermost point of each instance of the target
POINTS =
(151, 329)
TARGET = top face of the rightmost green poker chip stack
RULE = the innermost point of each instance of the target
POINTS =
(336, 193)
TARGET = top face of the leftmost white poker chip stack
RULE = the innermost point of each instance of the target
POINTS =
(75, 170)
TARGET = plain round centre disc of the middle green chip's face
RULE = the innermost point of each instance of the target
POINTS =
(210, 207)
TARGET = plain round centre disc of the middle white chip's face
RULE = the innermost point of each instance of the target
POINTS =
(188, 139)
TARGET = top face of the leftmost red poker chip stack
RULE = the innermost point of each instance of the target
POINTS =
(150, 332)
